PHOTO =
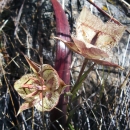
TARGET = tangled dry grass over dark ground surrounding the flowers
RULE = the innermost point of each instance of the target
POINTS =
(103, 101)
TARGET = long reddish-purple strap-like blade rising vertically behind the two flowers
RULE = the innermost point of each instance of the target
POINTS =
(63, 60)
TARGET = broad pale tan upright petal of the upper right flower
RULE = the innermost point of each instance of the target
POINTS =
(88, 25)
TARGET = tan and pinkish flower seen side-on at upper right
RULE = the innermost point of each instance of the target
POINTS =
(94, 39)
